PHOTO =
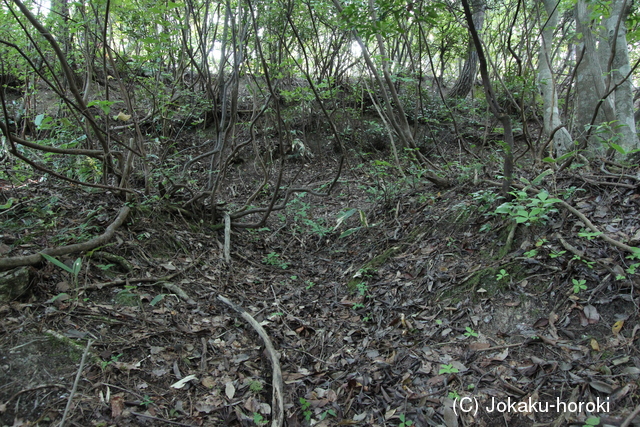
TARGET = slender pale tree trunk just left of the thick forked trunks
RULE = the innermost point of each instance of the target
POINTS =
(562, 141)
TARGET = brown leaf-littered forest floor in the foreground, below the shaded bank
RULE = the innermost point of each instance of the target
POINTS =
(420, 300)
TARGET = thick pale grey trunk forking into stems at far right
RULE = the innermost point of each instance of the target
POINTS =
(591, 87)
